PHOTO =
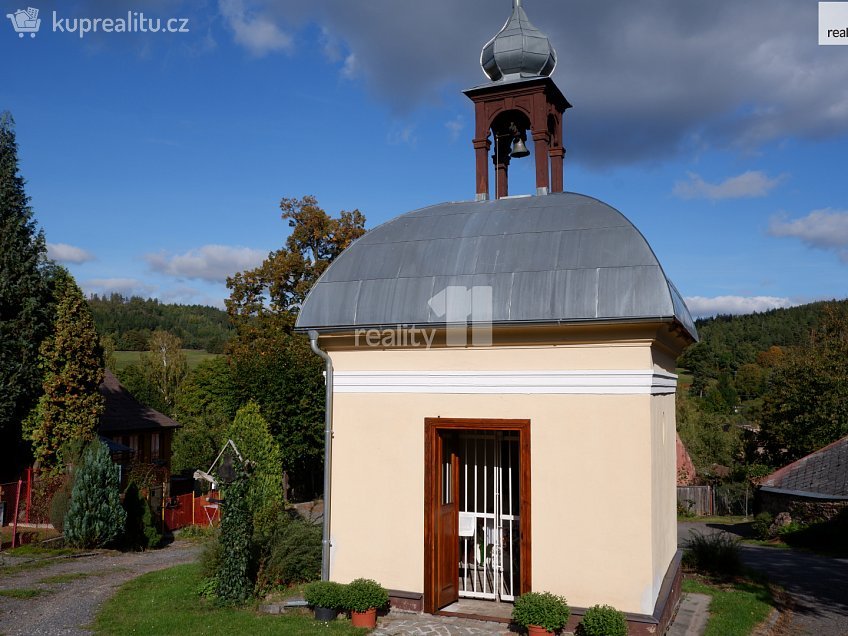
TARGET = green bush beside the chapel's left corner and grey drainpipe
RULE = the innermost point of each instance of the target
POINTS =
(289, 551)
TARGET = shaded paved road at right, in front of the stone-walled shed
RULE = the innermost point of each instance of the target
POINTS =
(819, 585)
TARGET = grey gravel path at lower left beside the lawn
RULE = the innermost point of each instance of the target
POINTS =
(67, 605)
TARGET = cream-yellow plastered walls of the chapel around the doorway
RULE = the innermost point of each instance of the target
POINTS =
(594, 479)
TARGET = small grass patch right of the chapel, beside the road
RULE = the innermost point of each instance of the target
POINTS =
(736, 609)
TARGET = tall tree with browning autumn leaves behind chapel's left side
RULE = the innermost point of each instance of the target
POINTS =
(272, 365)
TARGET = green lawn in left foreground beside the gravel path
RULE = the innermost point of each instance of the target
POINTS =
(166, 602)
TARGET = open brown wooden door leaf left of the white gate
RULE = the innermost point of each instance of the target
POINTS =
(447, 526)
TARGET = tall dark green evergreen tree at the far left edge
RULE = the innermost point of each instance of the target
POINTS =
(24, 301)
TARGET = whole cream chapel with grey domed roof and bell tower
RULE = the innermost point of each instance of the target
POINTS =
(501, 373)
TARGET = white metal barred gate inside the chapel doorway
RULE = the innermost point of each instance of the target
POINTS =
(489, 530)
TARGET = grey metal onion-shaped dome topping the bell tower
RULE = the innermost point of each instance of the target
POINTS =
(518, 50)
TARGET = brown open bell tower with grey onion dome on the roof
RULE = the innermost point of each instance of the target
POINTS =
(520, 104)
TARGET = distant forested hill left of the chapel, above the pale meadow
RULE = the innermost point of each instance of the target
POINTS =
(130, 321)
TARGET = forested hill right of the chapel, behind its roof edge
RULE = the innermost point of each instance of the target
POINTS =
(729, 342)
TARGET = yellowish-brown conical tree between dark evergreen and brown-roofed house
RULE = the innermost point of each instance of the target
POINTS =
(71, 404)
